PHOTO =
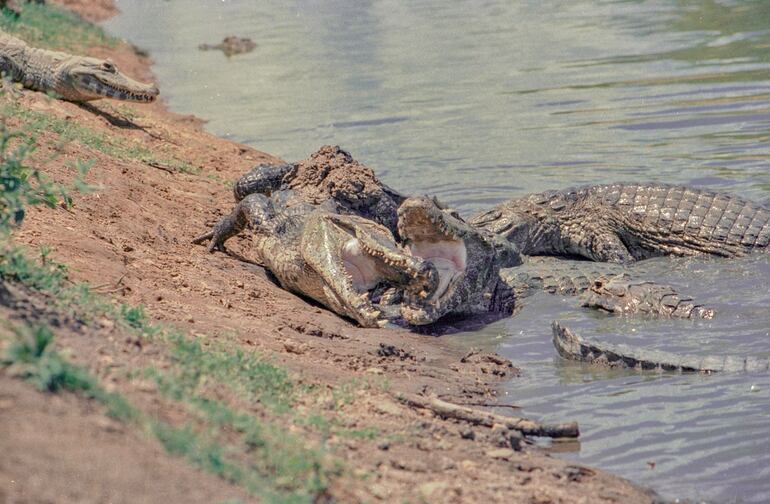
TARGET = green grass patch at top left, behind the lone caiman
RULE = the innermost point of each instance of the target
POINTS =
(51, 27)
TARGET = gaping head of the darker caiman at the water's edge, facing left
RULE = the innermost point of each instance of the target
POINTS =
(467, 260)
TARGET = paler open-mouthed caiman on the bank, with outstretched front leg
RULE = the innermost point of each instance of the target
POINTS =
(351, 265)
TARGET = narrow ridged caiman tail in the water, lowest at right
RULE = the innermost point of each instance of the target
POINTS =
(573, 347)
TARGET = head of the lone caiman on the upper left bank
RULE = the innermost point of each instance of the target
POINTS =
(91, 79)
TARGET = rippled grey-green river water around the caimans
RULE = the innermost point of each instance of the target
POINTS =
(480, 101)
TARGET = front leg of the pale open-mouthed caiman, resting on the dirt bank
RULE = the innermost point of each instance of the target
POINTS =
(254, 210)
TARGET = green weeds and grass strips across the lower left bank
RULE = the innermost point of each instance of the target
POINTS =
(233, 443)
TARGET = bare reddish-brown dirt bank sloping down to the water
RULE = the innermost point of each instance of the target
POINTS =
(162, 180)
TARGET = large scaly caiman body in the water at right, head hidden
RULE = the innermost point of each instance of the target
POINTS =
(627, 222)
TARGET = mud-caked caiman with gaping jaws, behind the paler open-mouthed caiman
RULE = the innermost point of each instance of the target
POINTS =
(468, 260)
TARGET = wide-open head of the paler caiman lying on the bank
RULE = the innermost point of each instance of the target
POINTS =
(364, 274)
